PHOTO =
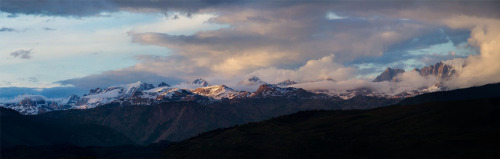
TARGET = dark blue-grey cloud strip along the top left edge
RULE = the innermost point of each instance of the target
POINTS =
(81, 8)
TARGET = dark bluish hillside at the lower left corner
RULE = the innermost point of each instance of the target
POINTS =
(17, 129)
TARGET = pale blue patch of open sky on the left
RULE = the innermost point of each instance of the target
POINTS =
(69, 47)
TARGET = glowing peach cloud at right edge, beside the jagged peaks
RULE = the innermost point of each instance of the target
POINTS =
(483, 68)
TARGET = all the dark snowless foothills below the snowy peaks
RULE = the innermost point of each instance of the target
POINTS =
(444, 125)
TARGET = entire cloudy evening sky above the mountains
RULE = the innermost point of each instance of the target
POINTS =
(62, 47)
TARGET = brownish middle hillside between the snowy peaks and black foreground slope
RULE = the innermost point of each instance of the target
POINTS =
(177, 121)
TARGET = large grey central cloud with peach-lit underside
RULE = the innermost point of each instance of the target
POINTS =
(284, 37)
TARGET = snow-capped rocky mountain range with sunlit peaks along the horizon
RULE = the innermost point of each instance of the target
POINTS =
(200, 91)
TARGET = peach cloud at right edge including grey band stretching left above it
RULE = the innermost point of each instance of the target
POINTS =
(483, 22)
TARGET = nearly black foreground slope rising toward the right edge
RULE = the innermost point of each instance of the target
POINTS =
(463, 129)
